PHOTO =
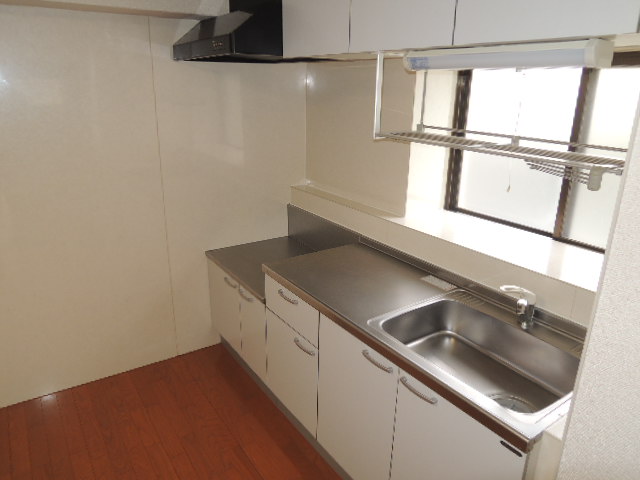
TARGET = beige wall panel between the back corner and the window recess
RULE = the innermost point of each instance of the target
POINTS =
(341, 153)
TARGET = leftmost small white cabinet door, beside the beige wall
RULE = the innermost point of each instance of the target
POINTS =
(225, 305)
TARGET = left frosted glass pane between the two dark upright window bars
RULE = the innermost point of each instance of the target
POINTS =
(535, 103)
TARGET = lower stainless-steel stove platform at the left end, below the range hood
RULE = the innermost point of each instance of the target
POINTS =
(244, 262)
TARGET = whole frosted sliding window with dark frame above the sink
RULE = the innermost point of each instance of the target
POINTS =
(566, 104)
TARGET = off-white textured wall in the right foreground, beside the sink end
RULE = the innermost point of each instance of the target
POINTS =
(603, 428)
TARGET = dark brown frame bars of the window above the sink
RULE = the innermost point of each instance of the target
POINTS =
(454, 168)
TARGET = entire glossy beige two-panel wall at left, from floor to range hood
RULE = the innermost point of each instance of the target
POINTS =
(118, 169)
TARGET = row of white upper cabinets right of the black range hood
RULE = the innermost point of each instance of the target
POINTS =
(312, 27)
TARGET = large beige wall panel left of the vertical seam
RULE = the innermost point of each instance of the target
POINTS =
(84, 280)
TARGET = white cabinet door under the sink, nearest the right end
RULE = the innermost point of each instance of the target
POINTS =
(437, 440)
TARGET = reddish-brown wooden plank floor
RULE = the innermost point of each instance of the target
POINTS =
(197, 416)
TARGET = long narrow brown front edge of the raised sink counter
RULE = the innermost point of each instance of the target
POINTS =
(520, 442)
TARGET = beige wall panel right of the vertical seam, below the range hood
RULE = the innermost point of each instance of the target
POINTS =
(232, 141)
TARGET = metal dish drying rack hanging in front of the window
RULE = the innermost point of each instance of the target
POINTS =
(569, 164)
